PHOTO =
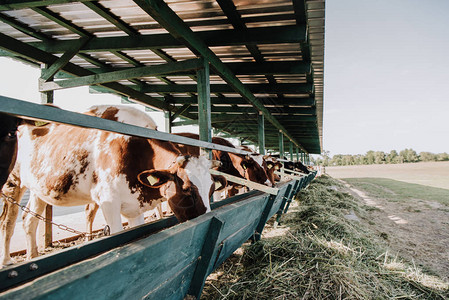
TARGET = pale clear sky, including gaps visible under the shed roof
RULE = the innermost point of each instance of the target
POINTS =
(386, 80)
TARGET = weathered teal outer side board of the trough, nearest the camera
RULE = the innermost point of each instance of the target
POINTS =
(139, 268)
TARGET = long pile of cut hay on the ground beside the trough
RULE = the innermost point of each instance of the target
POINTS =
(324, 255)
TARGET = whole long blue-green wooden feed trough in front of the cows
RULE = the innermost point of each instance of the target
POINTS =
(165, 265)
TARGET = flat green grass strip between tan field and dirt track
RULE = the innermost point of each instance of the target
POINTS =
(395, 190)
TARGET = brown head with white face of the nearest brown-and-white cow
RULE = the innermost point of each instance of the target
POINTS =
(187, 186)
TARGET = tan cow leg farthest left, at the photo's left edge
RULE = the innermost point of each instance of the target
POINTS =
(8, 217)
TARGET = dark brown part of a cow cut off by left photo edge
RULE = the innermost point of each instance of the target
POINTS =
(8, 145)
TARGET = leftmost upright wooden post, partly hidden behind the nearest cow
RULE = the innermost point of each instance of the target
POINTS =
(45, 229)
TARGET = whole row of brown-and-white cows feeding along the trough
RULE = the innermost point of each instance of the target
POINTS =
(67, 166)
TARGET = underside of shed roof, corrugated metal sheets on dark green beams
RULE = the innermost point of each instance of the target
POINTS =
(266, 57)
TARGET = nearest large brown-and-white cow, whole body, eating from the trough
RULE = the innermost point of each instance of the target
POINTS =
(67, 166)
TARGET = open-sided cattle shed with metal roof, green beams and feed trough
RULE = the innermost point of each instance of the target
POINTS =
(246, 69)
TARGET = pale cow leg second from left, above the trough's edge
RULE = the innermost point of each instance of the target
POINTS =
(30, 222)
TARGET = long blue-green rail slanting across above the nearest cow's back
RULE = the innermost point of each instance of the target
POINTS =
(27, 109)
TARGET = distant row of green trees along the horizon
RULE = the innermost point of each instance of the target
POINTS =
(378, 157)
